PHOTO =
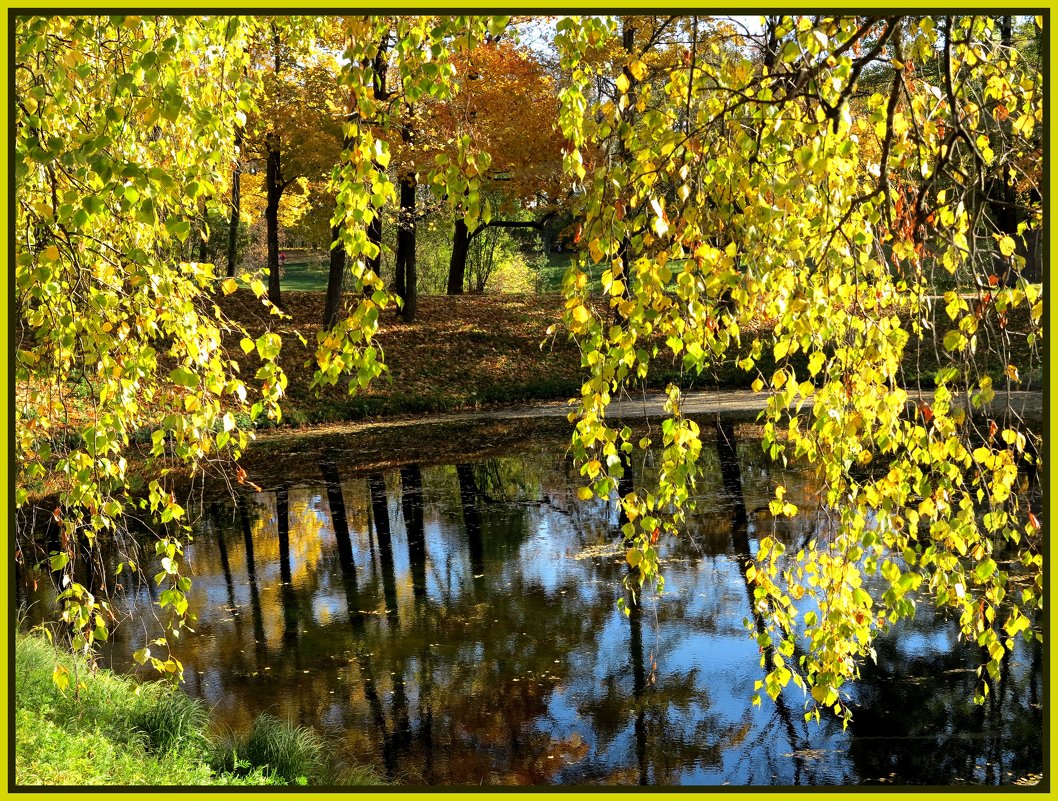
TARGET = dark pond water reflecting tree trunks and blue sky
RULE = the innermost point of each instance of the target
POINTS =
(459, 625)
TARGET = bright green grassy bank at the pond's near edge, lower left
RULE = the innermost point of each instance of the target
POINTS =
(106, 730)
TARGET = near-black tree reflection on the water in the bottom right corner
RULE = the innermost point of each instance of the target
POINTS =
(916, 720)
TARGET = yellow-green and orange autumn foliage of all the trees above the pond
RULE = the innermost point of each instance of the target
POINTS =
(869, 185)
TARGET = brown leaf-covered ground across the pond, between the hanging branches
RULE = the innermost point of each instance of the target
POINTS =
(463, 352)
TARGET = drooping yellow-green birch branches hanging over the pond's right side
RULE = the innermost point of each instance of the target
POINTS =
(750, 190)
